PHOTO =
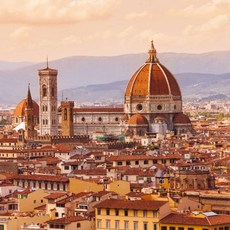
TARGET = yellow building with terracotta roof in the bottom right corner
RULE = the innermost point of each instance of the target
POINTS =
(195, 221)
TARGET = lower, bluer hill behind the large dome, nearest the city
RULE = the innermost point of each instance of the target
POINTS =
(203, 87)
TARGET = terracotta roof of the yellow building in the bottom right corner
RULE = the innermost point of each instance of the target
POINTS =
(176, 218)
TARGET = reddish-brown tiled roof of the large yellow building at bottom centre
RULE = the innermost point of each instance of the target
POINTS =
(131, 204)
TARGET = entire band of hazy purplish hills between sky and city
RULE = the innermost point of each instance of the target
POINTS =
(199, 75)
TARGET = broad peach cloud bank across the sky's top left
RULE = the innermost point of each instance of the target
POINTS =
(43, 12)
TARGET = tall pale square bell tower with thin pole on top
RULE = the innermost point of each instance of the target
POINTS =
(48, 101)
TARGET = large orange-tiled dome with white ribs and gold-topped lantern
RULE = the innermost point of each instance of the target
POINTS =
(152, 79)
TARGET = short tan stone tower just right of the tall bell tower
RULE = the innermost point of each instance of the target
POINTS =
(67, 118)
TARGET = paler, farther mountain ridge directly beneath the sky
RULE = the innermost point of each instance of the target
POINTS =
(78, 71)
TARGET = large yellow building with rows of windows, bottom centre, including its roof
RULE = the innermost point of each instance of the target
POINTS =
(130, 214)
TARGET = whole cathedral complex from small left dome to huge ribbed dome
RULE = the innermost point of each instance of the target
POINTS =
(152, 104)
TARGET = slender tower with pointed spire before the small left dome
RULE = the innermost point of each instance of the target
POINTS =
(29, 116)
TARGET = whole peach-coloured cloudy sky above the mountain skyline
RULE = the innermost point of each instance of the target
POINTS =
(32, 29)
